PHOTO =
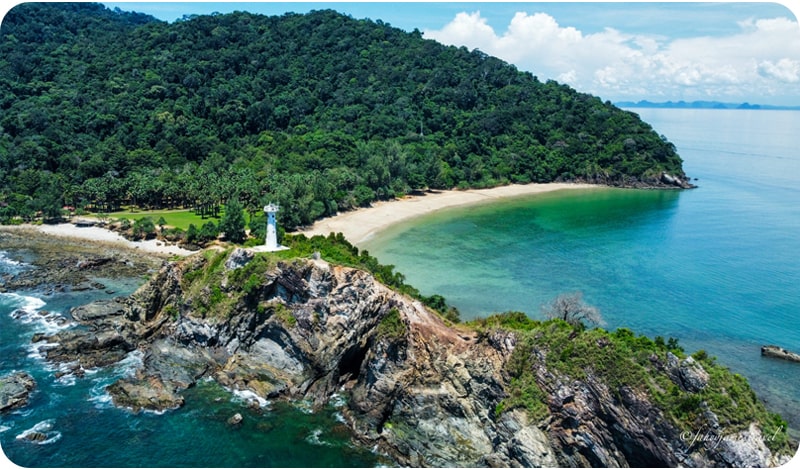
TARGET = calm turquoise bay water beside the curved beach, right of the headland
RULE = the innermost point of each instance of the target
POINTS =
(716, 267)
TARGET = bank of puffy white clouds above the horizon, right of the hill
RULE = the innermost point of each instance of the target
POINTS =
(761, 60)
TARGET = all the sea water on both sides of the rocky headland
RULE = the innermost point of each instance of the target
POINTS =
(715, 267)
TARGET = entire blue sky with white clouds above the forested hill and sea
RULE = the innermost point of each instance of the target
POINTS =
(731, 52)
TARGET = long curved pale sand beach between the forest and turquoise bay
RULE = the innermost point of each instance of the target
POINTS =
(360, 225)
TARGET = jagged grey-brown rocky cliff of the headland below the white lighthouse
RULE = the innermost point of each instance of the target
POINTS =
(423, 392)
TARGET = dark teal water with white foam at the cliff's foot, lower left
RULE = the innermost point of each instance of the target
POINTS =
(85, 430)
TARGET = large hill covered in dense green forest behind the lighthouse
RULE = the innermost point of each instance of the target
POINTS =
(319, 112)
